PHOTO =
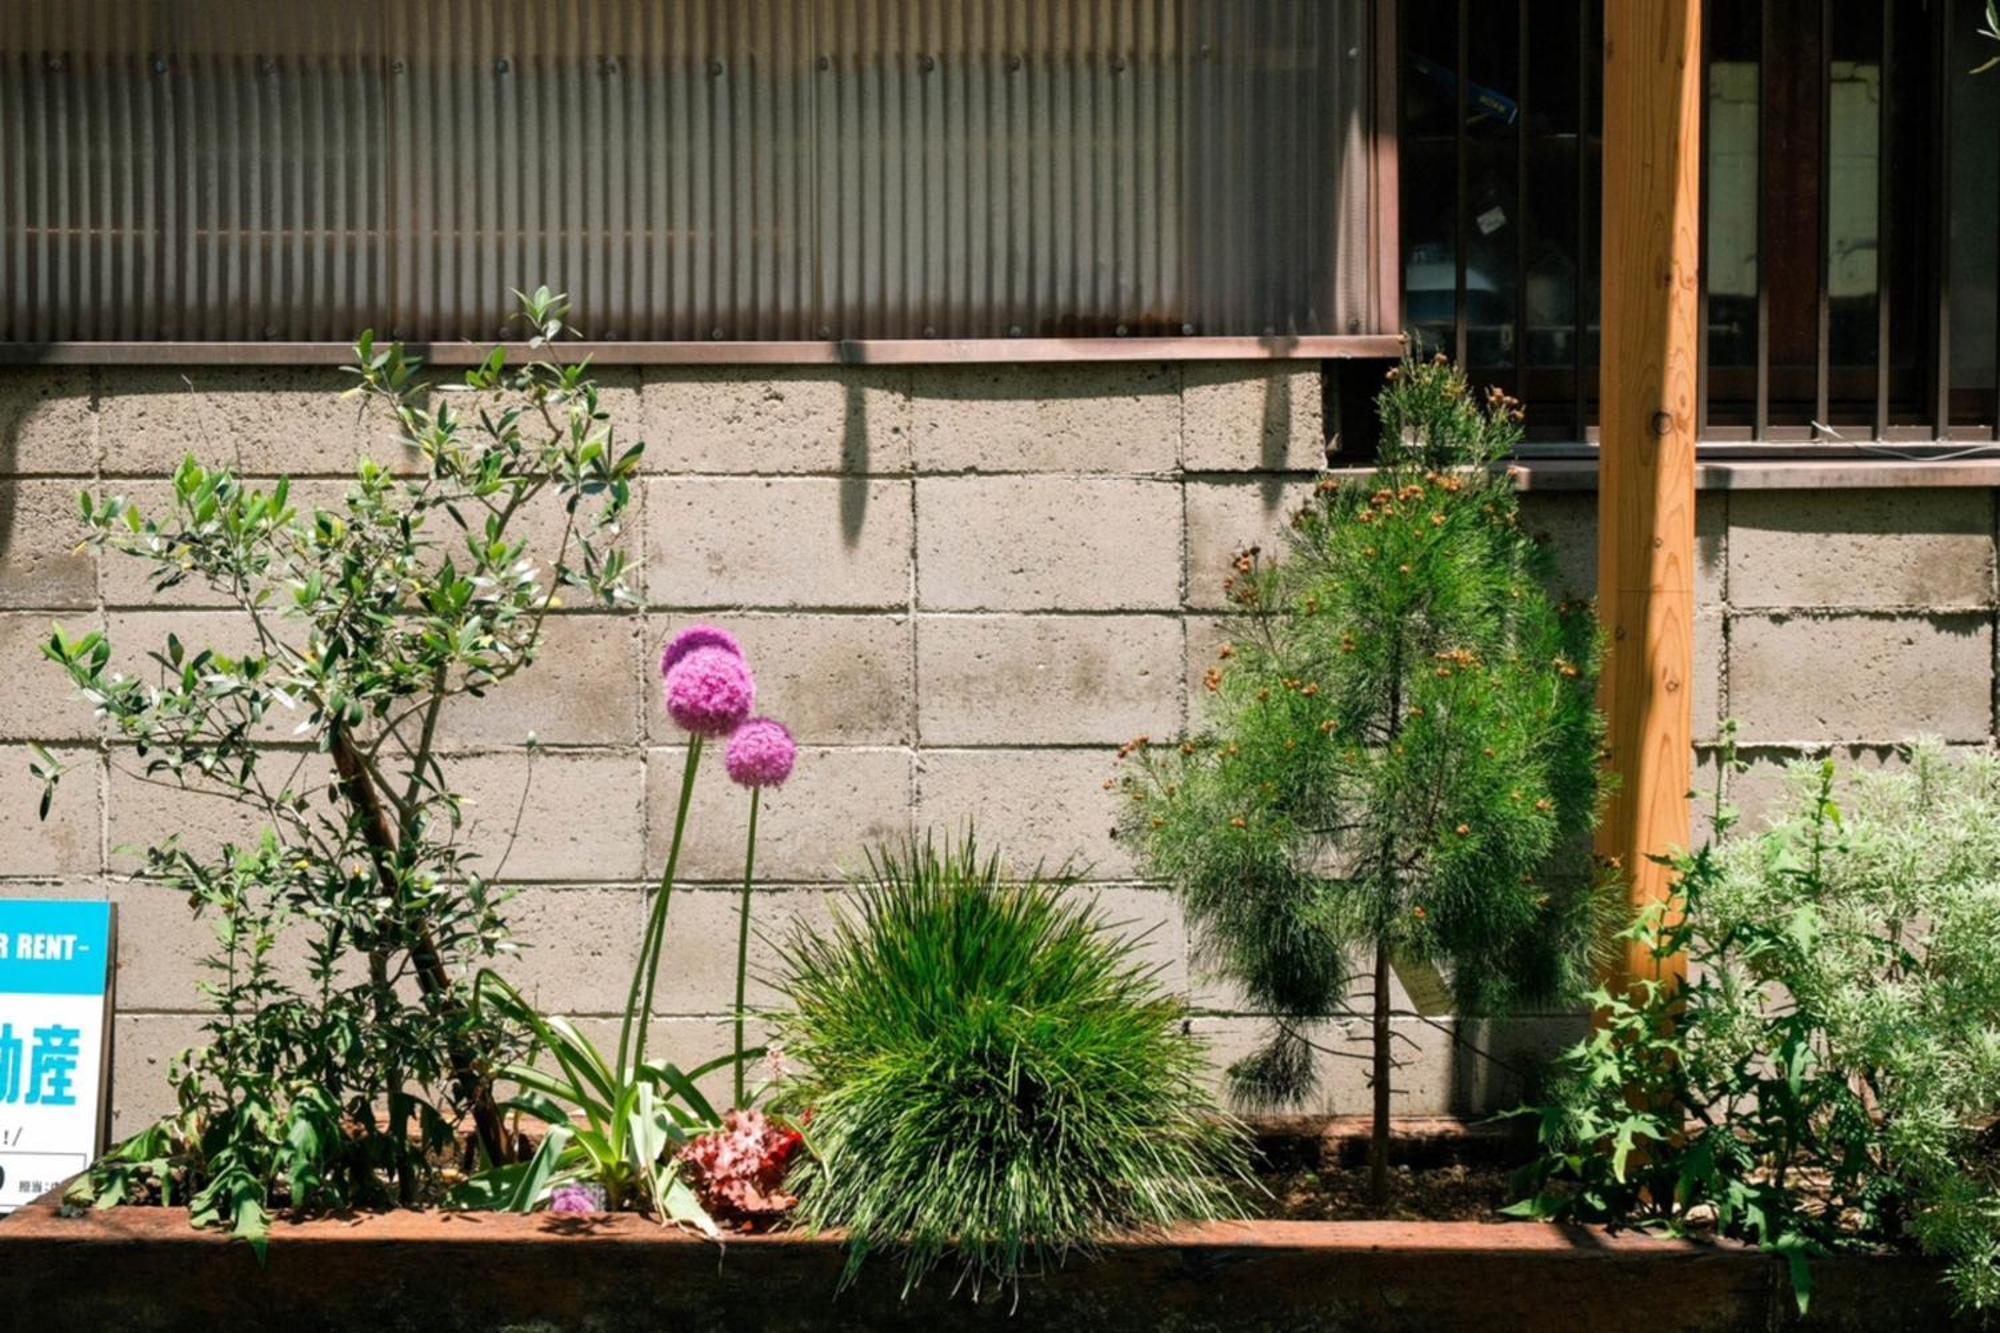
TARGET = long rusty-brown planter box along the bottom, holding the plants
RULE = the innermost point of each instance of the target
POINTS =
(139, 1270)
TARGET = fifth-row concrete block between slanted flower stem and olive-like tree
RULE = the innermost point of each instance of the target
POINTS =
(575, 948)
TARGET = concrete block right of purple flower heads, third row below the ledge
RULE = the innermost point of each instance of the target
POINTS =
(1047, 680)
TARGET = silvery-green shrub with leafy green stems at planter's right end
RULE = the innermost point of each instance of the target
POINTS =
(1831, 1072)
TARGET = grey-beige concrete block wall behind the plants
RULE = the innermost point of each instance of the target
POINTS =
(963, 589)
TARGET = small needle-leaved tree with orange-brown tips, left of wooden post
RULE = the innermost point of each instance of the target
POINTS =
(1399, 758)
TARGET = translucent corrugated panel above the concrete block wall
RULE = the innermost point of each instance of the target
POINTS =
(707, 169)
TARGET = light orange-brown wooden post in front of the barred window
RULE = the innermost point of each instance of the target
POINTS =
(1653, 137)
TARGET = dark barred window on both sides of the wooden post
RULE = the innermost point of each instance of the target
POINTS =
(1851, 213)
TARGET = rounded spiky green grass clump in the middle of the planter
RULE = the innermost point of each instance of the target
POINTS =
(995, 1082)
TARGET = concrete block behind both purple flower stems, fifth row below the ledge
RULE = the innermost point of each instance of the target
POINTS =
(699, 964)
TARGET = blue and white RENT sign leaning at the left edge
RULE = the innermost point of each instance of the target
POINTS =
(55, 1018)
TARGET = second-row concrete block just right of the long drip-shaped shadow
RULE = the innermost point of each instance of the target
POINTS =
(1063, 543)
